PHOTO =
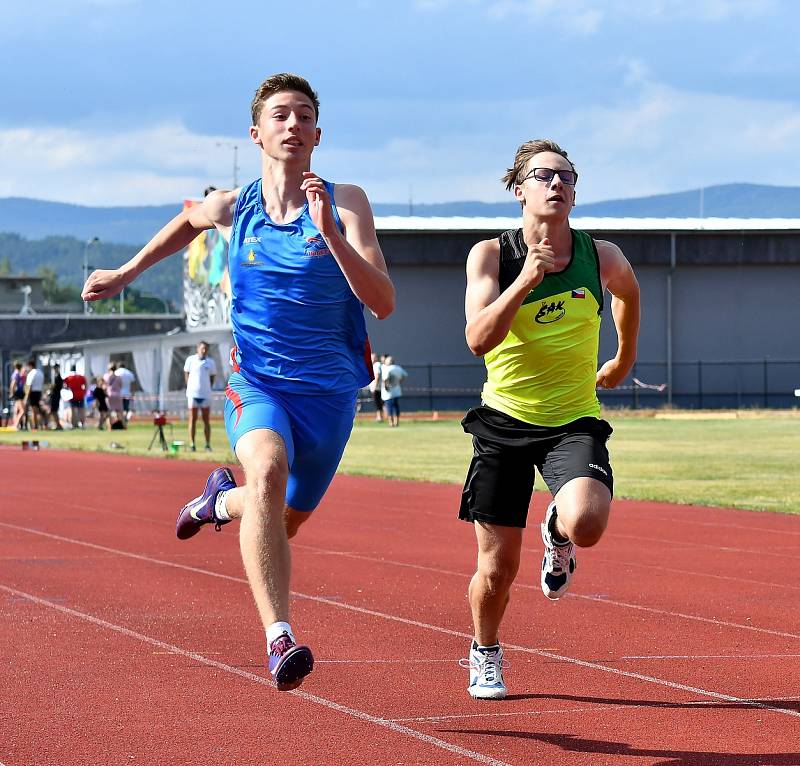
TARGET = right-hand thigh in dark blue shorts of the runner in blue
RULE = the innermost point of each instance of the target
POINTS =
(322, 426)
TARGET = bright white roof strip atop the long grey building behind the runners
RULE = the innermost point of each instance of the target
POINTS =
(463, 223)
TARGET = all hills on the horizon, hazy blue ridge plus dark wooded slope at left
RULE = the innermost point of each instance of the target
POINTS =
(54, 234)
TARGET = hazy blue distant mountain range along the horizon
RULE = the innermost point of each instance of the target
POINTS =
(35, 219)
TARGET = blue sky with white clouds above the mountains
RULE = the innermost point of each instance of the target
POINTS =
(126, 102)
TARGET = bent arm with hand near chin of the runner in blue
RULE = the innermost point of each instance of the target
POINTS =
(357, 250)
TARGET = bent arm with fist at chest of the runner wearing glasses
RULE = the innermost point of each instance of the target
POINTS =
(490, 312)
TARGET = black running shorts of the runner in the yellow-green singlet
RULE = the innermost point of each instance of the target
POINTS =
(507, 453)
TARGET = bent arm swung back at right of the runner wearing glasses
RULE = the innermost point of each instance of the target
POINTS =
(617, 275)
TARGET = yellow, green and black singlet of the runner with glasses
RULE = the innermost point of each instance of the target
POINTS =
(544, 371)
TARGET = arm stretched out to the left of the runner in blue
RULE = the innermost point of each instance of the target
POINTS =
(216, 210)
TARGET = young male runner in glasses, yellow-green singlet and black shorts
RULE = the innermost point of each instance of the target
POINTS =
(533, 303)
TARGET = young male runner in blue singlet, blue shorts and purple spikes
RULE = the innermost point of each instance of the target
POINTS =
(303, 258)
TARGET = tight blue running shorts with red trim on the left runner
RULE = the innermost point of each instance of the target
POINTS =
(315, 429)
